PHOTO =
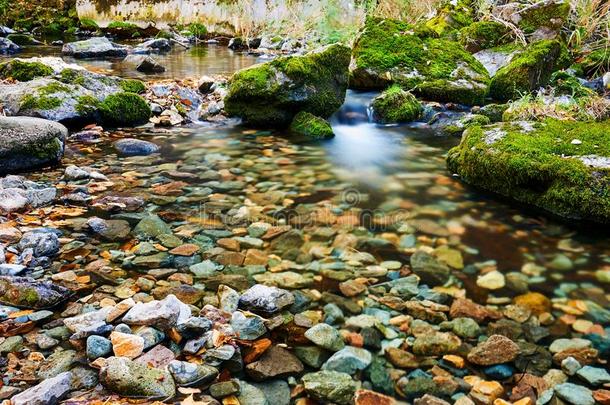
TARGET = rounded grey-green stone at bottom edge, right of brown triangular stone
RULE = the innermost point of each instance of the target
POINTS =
(330, 386)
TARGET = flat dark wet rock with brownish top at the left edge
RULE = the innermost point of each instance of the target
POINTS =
(25, 292)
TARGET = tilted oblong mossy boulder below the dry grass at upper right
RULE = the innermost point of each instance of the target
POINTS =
(529, 70)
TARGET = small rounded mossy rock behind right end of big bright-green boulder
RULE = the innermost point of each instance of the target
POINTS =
(484, 35)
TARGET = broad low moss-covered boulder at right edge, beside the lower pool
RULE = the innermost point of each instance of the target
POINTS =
(557, 166)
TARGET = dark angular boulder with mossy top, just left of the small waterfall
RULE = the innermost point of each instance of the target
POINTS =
(272, 93)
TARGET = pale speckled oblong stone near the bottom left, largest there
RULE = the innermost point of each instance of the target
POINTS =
(132, 379)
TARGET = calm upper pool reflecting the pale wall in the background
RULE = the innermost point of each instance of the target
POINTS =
(179, 63)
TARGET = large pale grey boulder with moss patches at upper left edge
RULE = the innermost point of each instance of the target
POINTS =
(51, 89)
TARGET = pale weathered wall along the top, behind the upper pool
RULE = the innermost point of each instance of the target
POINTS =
(220, 16)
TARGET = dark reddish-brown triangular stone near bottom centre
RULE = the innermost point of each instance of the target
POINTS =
(276, 362)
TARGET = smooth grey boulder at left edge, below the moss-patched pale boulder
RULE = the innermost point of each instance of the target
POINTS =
(28, 143)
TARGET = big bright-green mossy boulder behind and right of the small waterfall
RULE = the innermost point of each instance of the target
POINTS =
(389, 51)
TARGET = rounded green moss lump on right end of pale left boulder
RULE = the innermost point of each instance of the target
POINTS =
(124, 109)
